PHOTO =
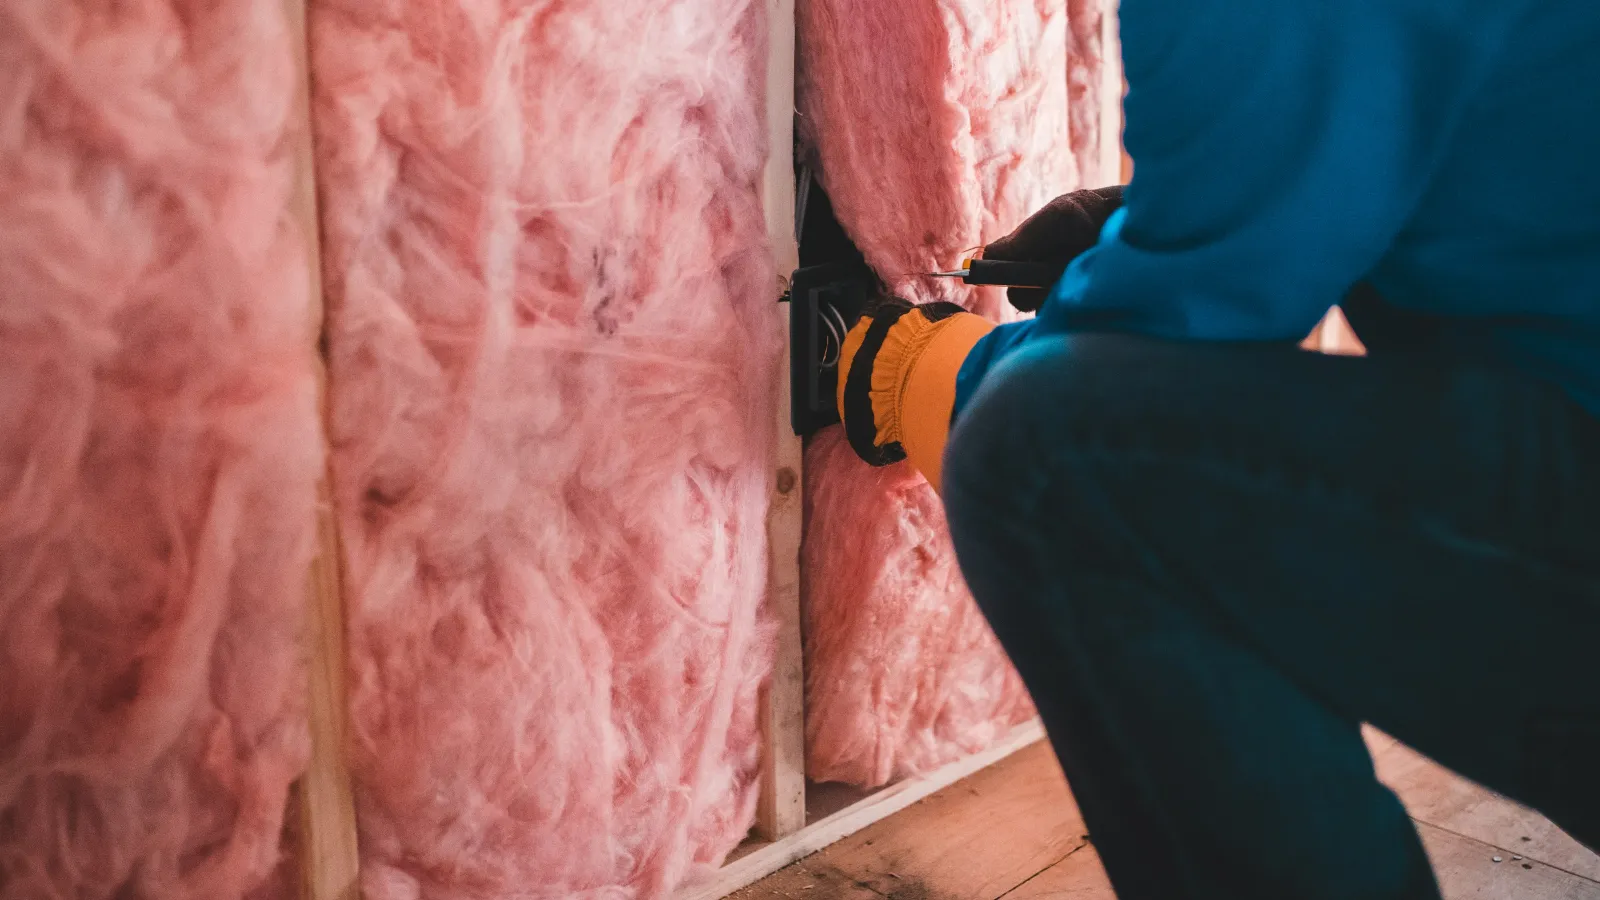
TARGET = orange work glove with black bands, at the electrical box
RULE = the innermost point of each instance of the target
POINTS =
(897, 380)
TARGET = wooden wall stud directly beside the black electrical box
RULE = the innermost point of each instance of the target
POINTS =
(782, 806)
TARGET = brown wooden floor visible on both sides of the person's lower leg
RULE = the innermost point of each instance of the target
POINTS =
(1014, 832)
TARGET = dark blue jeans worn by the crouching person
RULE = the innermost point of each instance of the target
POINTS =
(1214, 563)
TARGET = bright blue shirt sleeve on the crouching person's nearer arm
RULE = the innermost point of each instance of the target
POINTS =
(1279, 150)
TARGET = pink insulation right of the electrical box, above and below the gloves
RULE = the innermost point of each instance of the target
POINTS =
(937, 126)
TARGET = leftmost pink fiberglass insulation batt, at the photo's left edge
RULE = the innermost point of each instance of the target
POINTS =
(159, 449)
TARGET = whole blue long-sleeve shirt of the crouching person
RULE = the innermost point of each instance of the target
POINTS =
(1447, 153)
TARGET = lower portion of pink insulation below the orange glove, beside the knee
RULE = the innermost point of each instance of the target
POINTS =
(902, 669)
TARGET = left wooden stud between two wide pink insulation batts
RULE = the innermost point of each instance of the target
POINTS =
(330, 867)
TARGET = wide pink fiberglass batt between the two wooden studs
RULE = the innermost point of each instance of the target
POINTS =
(553, 348)
